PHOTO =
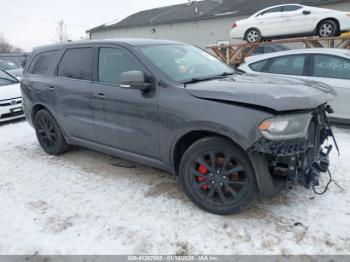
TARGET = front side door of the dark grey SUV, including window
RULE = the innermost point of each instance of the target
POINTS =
(125, 119)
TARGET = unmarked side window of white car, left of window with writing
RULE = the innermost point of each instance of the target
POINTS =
(288, 65)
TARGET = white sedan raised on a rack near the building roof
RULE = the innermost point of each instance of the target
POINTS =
(291, 20)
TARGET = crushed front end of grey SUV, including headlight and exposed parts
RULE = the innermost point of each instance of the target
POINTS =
(299, 153)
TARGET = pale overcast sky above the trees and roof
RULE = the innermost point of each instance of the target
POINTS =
(29, 23)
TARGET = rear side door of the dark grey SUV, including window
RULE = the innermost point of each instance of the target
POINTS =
(72, 87)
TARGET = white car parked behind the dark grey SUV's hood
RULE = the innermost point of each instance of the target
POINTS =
(327, 65)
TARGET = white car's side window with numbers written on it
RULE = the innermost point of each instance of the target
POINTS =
(331, 67)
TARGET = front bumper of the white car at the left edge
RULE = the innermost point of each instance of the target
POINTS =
(11, 109)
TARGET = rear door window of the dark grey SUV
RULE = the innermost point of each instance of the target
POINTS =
(77, 63)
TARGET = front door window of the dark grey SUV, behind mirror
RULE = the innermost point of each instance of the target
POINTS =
(114, 61)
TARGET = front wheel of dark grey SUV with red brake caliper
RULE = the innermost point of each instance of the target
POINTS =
(217, 176)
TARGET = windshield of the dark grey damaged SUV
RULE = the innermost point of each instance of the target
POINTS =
(183, 63)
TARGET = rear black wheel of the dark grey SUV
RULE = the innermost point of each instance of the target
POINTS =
(49, 134)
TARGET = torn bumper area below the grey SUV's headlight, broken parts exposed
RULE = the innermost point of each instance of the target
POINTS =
(302, 160)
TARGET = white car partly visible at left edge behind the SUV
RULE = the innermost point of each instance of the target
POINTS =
(10, 97)
